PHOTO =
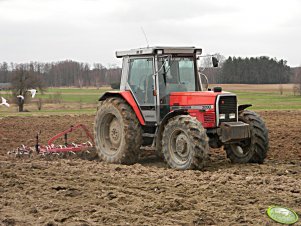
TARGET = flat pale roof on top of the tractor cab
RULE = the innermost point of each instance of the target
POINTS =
(159, 50)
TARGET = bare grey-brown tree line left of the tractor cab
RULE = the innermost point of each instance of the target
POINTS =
(62, 73)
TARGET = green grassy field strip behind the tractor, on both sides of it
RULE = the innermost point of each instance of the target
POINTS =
(84, 101)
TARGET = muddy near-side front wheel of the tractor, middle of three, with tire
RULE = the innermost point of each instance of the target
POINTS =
(185, 143)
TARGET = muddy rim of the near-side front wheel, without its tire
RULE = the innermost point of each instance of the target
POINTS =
(179, 147)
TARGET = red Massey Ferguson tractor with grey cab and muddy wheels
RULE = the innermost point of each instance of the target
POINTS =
(164, 105)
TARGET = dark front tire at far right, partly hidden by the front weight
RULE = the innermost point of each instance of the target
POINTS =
(253, 150)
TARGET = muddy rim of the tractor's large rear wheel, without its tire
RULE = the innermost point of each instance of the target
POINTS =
(110, 134)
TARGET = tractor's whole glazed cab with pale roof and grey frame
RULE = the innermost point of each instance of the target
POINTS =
(152, 75)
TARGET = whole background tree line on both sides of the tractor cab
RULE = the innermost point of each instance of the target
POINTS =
(258, 70)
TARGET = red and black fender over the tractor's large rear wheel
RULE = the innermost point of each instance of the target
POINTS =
(128, 97)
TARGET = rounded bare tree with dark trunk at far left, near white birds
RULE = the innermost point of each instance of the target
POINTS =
(25, 77)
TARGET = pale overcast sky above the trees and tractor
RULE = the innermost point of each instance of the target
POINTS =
(92, 30)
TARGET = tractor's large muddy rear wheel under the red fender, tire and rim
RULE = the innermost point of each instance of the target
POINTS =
(117, 132)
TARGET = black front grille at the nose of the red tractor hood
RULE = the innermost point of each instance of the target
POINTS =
(227, 105)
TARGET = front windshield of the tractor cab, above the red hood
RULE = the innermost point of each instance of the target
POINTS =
(176, 74)
